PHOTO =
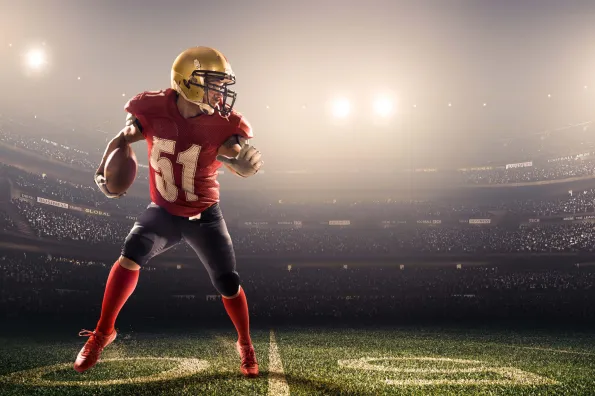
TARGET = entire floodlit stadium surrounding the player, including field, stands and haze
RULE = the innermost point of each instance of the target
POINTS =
(424, 223)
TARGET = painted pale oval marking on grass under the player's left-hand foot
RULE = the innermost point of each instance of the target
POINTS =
(33, 377)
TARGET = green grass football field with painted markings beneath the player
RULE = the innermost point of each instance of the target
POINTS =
(312, 361)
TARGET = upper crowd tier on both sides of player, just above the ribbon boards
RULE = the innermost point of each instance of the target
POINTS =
(260, 206)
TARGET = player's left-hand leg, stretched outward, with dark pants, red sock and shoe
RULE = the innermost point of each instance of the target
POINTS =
(154, 232)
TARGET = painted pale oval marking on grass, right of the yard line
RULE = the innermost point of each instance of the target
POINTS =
(512, 376)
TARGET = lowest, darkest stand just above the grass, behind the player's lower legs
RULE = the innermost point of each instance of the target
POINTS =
(35, 284)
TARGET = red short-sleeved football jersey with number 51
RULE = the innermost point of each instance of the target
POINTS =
(182, 152)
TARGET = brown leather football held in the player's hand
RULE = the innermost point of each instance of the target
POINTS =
(120, 169)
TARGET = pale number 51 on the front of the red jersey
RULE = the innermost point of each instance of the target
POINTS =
(164, 170)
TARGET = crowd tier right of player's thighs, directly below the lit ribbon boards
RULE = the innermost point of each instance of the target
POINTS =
(418, 240)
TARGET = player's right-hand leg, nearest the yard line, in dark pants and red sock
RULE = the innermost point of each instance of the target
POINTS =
(211, 241)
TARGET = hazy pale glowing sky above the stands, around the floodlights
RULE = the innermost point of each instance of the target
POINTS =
(509, 54)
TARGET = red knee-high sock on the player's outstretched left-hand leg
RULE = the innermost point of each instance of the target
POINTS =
(120, 285)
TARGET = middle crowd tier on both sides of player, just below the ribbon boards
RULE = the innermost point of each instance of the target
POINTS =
(56, 223)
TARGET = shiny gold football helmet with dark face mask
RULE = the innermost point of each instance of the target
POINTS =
(193, 74)
